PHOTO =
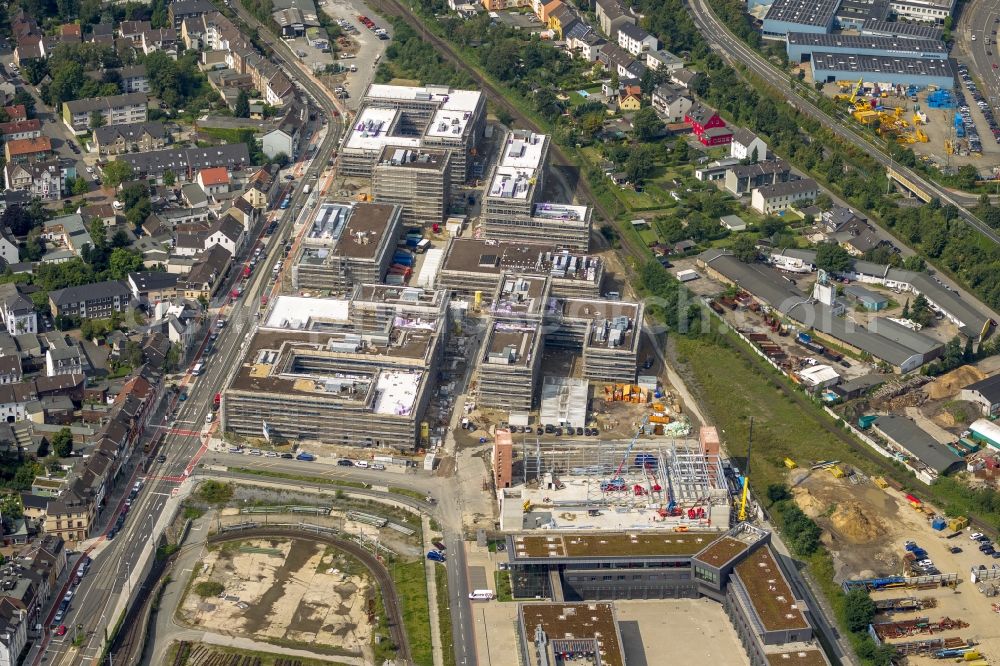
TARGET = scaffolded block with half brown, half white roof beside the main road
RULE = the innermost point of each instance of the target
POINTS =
(347, 244)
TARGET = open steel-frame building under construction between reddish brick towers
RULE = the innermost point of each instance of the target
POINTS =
(678, 484)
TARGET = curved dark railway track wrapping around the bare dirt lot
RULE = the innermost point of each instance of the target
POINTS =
(390, 599)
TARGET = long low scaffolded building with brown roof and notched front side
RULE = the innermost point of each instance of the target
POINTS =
(473, 265)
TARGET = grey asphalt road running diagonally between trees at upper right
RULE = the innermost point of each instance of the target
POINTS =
(734, 50)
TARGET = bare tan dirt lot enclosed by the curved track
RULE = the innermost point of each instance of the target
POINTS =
(284, 591)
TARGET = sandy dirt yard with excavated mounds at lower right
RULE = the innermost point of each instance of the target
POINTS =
(866, 529)
